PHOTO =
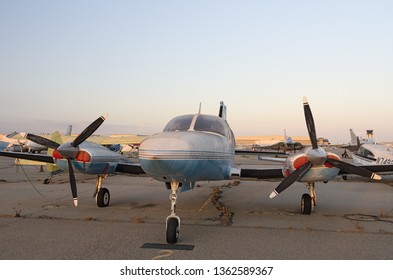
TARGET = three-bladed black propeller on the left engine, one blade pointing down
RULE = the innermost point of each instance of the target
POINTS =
(69, 150)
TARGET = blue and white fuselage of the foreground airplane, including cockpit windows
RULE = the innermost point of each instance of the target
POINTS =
(191, 148)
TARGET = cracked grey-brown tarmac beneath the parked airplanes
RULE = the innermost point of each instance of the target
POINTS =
(353, 219)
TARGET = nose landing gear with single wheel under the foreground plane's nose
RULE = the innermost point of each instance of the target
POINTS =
(173, 221)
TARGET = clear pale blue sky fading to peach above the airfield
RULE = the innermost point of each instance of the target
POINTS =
(144, 62)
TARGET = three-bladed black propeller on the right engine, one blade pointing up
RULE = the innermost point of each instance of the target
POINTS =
(316, 156)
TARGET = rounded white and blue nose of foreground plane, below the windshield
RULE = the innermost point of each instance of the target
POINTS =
(185, 156)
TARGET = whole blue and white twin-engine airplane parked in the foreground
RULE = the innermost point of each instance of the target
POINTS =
(191, 148)
